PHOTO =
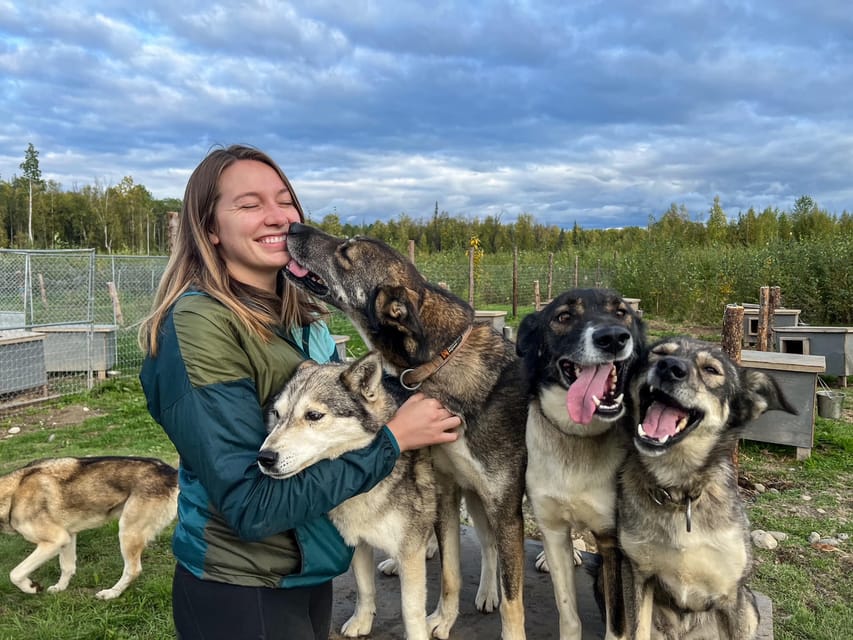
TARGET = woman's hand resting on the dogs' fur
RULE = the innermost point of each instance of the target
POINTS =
(421, 421)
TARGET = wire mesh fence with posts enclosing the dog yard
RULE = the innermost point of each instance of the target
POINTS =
(69, 318)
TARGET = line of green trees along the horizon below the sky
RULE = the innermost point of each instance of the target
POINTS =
(126, 219)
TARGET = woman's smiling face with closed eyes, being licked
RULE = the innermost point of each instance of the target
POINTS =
(251, 220)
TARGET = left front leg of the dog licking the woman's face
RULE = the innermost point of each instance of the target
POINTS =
(441, 620)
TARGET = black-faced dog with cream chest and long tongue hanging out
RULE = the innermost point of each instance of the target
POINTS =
(576, 353)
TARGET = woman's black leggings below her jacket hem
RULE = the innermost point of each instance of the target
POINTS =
(207, 610)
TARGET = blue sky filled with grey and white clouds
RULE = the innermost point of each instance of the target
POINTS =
(600, 114)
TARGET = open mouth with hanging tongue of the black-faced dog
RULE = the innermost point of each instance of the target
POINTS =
(594, 390)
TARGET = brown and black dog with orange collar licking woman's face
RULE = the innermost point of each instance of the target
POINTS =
(428, 338)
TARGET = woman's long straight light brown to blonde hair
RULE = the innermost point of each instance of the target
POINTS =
(196, 263)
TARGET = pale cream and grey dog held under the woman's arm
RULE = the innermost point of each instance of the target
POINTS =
(327, 410)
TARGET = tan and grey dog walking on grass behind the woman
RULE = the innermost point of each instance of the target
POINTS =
(49, 501)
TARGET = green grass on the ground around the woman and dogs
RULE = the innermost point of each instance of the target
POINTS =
(810, 587)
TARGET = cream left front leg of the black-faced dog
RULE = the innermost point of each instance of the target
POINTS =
(557, 543)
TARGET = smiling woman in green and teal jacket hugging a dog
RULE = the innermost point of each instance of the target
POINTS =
(255, 556)
